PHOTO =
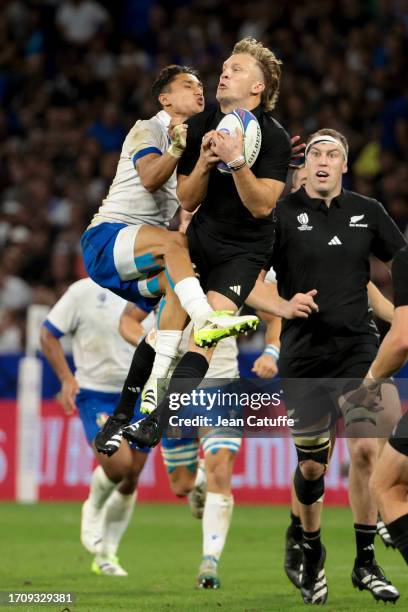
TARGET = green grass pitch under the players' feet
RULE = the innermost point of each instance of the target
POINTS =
(161, 551)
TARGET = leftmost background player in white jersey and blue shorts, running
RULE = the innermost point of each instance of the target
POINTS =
(90, 315)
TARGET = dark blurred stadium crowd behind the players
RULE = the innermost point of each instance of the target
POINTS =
(76, 74)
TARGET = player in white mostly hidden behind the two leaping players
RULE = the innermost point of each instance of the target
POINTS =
(207, 483)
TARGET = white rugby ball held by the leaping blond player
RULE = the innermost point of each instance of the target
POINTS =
(248, 124)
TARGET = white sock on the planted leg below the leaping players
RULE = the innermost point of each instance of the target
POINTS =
(216, 521)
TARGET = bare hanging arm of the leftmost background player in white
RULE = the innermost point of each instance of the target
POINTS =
(52, 350)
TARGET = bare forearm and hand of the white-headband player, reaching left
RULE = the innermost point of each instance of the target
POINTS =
(265, 296)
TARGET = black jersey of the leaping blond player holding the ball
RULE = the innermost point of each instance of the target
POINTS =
(222, 211)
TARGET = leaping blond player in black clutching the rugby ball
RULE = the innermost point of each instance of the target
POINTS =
(231, 232)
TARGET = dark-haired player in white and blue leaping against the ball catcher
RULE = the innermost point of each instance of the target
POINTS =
(127, 240)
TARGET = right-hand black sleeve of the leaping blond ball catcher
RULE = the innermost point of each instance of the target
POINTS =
(275, 157)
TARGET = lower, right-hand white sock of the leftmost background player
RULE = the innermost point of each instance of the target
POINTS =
(118, 512)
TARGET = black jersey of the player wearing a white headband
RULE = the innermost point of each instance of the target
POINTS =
(328, 249)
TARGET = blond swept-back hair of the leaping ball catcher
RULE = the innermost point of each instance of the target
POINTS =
(270, 66)
